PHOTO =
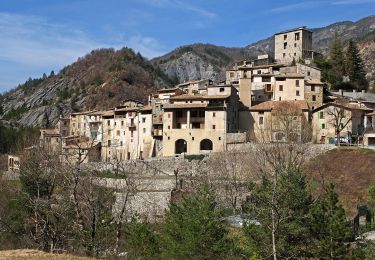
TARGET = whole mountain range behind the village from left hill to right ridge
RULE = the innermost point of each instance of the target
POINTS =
(104, 77)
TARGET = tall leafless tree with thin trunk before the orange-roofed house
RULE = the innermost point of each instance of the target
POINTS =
(282, 143)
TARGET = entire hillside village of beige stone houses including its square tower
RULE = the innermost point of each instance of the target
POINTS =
(200, 117)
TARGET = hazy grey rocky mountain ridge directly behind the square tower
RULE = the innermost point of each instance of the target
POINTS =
(209, 61)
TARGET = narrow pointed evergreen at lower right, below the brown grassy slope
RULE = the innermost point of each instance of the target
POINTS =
(330, 226)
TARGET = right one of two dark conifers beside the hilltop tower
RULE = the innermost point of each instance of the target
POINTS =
(354, 67)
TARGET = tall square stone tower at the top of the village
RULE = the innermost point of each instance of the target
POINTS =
(294, 44)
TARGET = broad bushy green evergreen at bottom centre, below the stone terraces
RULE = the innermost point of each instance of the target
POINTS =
(193, 229)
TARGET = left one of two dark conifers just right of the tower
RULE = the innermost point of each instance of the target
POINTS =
(337, 62)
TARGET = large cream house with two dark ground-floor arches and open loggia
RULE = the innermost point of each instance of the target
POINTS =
(197, 123)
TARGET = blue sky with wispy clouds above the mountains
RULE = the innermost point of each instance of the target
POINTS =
(38, 36)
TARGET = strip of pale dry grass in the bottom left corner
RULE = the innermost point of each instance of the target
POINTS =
(35, 255)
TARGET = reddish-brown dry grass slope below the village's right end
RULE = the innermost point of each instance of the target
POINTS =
(351, 169)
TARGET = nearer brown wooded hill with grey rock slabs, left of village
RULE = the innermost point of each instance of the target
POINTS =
(101, 79)
